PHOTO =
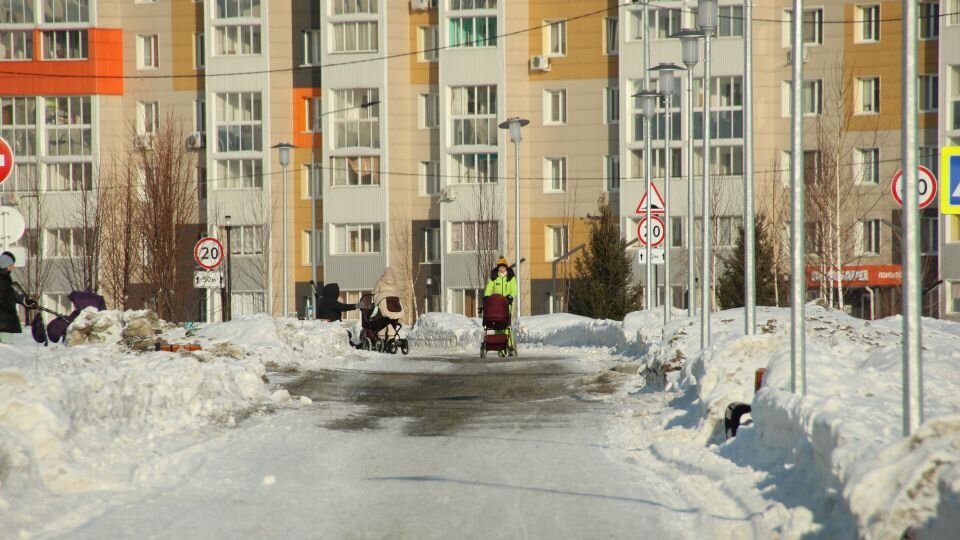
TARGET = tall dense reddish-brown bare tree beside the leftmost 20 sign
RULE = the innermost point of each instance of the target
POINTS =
(165, 211)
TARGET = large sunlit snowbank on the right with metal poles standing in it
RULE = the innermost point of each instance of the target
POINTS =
(845, 434)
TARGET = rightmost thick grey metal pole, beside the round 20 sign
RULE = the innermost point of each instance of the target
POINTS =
(912, 299)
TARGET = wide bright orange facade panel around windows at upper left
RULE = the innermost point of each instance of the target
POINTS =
(100, 73)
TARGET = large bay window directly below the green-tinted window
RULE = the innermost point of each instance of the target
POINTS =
(473, 110)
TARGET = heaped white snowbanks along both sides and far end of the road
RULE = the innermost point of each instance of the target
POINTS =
(110, 414)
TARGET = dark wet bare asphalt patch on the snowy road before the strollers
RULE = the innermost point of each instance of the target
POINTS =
(457, 394)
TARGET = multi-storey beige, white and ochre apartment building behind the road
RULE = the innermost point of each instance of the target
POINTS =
(392, 110)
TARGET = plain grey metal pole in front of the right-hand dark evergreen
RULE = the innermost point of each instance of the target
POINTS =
(749, 233)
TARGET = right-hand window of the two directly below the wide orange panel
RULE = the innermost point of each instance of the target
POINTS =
(68, 126)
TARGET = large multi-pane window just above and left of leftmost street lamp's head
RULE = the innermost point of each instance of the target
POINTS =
(239, 122)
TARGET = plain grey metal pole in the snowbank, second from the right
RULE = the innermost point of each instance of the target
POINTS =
(798, 363)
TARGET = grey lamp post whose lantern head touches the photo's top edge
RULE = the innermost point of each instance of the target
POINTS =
(708, 14)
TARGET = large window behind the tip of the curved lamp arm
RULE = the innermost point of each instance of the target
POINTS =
(356, 125)
